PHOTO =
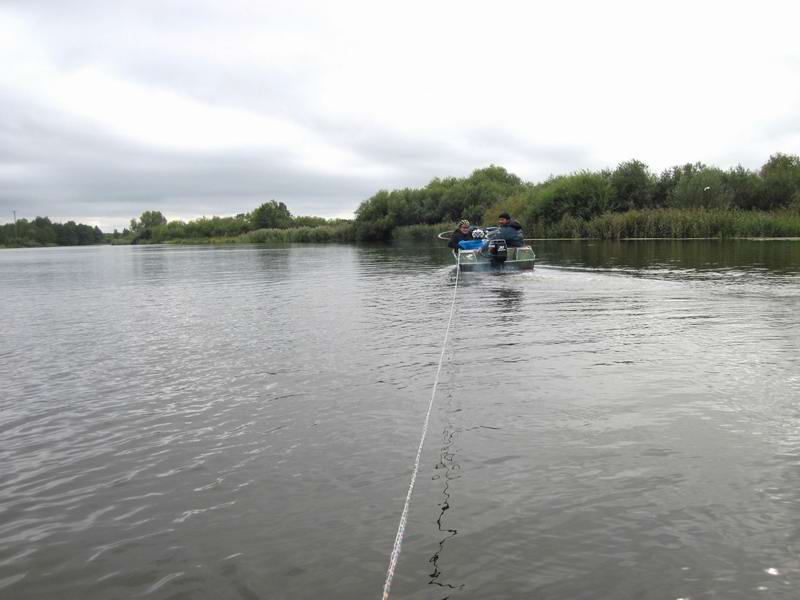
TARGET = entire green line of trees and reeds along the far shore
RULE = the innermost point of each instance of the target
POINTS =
(690, 200)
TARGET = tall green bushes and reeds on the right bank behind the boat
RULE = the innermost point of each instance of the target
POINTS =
(693, 200)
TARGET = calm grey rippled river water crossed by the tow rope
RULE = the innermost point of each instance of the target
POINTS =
(241, 423)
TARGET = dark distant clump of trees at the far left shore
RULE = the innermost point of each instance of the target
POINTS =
(42, 232)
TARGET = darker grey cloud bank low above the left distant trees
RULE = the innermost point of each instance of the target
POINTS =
(78, 170)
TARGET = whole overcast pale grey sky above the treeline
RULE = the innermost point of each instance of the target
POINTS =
(202, 107)
